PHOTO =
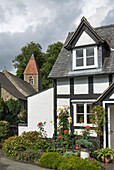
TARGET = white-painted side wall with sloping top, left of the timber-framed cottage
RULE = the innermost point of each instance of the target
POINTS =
(40, 109)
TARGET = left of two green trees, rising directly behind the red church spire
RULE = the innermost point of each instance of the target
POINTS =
(21, 60)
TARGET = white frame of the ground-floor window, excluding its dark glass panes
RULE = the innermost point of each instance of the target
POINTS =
(85, 115)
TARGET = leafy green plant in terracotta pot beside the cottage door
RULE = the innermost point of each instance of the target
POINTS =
(105, 154)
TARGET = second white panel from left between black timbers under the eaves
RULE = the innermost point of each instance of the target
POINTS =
(81, 85)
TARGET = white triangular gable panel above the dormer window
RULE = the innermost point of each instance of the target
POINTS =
(84, 39)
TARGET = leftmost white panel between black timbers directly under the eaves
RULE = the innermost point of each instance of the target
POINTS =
(63, 86)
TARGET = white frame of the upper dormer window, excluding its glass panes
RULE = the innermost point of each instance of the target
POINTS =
(84, 57)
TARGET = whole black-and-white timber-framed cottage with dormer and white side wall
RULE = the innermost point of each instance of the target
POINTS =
(83, 74)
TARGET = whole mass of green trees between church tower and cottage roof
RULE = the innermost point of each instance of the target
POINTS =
(44, 60)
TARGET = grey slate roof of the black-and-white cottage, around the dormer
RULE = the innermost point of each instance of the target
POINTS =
(63, 67)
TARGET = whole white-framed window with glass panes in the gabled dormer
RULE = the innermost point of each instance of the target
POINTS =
(84, 58)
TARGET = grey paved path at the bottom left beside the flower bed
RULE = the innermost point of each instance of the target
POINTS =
(9, 164)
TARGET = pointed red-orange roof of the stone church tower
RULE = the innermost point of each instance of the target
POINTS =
(32, 66)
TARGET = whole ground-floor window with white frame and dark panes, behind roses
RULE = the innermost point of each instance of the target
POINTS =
(81, 113)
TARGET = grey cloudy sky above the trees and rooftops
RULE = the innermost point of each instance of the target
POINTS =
(45, 22)
